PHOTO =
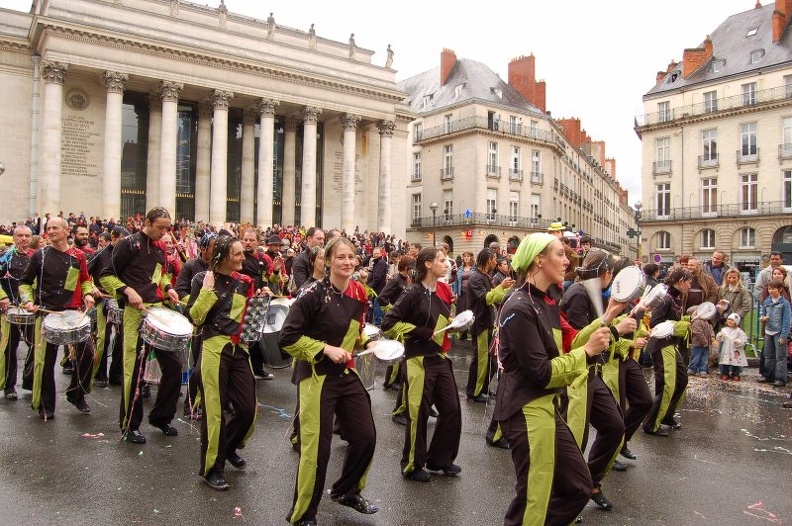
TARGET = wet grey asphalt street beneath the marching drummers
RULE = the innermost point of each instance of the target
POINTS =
(730, 464)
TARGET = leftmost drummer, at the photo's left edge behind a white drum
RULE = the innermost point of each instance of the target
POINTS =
(12, 267)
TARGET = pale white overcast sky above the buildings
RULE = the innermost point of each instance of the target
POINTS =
(598, 58)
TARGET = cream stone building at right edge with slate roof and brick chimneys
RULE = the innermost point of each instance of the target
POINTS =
(717, 145)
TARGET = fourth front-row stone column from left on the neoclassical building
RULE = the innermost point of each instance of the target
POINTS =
(218, 198)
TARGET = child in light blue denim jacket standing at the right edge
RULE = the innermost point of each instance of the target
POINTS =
(776, 314)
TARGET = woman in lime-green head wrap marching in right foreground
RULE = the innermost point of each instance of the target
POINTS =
(553, 481)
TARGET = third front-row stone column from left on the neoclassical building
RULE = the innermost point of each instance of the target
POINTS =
(168, 144)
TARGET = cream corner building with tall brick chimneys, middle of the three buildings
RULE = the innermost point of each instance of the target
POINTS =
(489, 163)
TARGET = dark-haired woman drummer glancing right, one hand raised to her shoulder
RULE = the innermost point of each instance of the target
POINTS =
(223, 373)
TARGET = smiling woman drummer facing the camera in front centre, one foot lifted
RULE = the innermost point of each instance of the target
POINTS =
(322, 327)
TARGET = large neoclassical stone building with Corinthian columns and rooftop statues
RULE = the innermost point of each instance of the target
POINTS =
(115, 106)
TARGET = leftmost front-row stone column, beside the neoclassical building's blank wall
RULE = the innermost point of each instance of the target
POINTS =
(53, 74)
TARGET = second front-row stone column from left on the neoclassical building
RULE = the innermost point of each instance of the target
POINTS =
(111, 194)
